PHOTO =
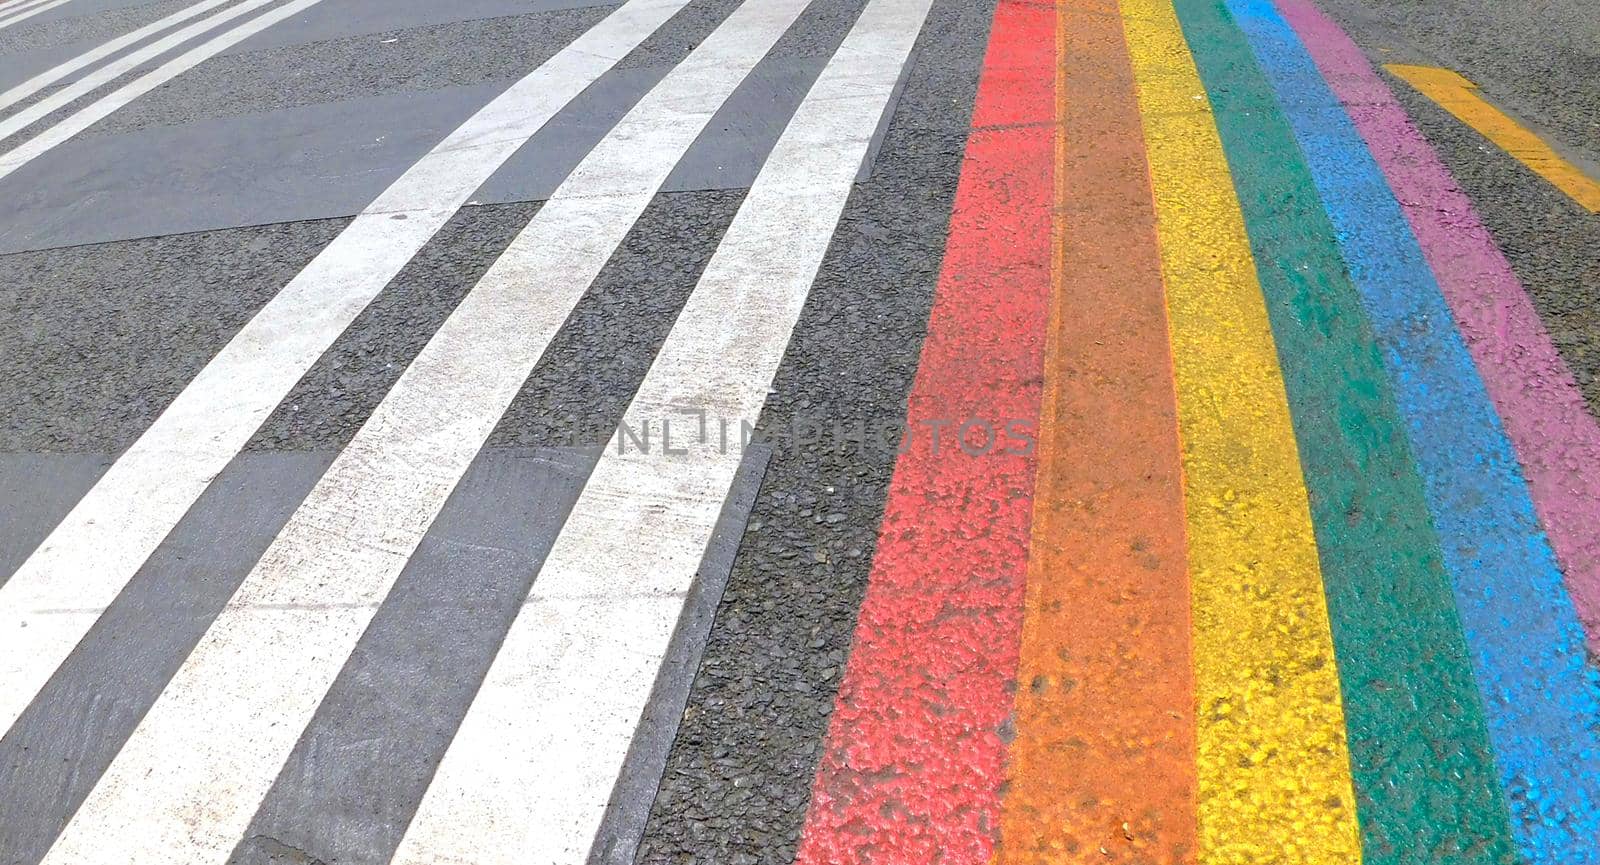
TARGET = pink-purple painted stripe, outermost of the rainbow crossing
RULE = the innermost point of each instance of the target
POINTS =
(1556, 437)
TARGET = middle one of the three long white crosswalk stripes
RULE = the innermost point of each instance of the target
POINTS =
(191, 776)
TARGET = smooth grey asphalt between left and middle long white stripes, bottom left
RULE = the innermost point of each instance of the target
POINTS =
(74, 728)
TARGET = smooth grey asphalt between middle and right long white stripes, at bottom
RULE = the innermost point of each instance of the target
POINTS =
(364, 760)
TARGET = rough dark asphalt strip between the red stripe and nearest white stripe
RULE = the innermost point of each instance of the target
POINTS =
(740, 773)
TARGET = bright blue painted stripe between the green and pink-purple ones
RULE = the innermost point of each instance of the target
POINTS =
(1542, 696)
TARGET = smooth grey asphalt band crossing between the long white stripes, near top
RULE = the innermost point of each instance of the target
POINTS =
(334, 159)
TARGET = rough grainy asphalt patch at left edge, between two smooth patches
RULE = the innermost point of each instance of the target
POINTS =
(100, 340)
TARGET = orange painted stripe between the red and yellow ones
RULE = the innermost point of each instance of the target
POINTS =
(1103, 767)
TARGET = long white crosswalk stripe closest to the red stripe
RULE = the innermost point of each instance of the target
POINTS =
(534, 765)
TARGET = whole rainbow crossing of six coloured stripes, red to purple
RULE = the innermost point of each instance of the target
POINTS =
(1305, 567)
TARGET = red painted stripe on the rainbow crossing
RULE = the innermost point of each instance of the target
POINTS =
(916, 755)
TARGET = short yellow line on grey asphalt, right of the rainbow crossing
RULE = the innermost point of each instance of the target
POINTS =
(1462, 98)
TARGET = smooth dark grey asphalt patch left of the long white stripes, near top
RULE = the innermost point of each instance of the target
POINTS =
(292, 165)
